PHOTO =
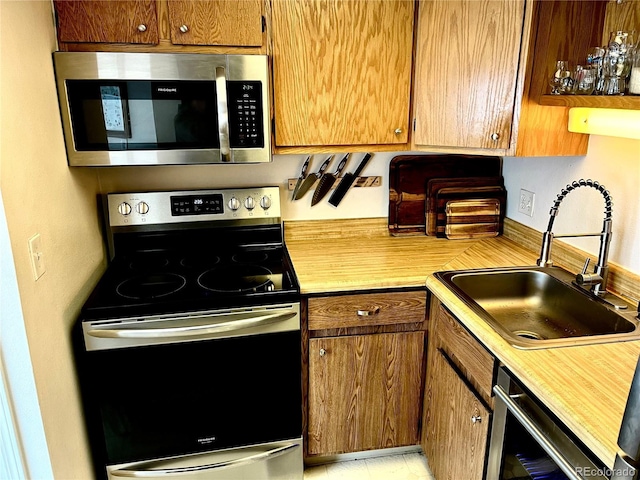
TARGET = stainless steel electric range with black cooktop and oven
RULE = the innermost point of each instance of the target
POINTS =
(188, 349)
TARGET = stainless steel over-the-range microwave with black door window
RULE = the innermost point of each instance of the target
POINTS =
(163, 109)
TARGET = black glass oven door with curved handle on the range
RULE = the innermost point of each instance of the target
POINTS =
(180, 386)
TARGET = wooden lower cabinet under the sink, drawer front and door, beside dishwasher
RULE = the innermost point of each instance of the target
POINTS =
(457, 400)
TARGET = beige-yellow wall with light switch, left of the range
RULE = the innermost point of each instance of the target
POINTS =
(42, 195)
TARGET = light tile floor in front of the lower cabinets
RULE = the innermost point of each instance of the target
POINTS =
(409, 466)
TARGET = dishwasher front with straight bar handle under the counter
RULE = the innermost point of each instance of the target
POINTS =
(527, 441)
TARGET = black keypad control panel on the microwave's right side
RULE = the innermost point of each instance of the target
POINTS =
(245, 114)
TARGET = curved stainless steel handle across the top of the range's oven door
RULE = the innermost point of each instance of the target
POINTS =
(192, 330)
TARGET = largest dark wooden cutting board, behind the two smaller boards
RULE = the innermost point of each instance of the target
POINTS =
(408, 175)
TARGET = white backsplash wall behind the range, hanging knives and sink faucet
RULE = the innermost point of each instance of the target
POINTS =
(614, 162)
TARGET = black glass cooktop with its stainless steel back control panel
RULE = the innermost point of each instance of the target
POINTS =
(187, 251)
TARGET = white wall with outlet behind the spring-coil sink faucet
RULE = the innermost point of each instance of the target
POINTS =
(613, 162)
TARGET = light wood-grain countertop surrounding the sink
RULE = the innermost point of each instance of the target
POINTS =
(585, 386)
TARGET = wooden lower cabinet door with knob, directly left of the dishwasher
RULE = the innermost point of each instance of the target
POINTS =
(457, 424)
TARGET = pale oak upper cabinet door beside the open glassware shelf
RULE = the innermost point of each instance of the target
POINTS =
(467, 55)
